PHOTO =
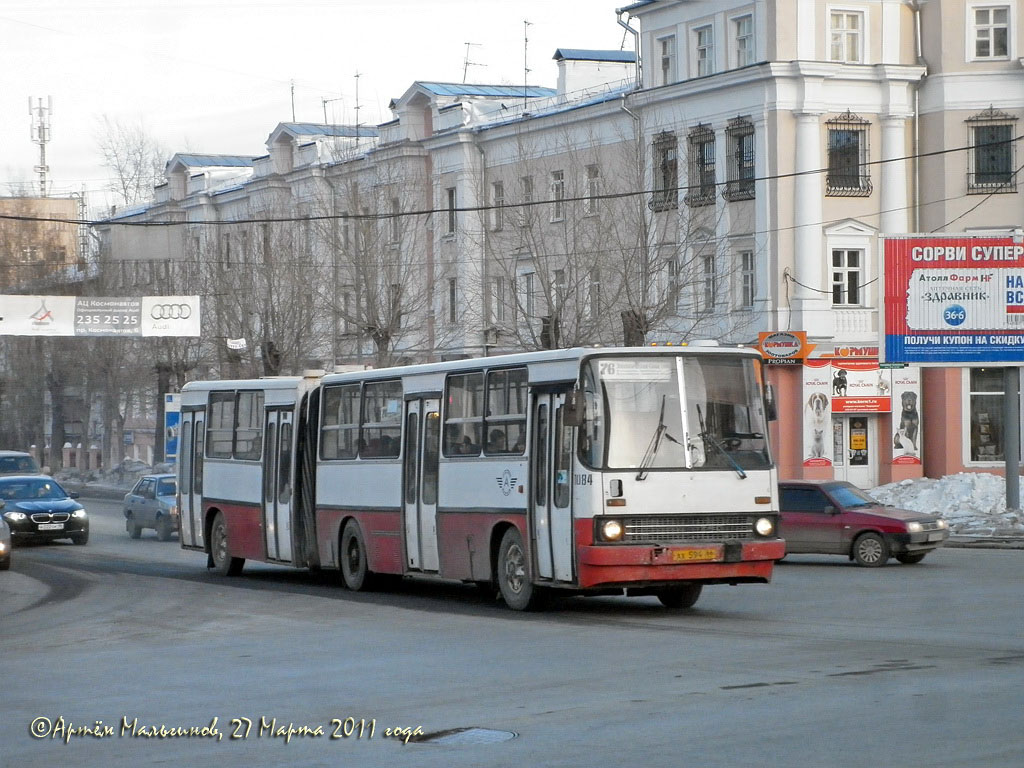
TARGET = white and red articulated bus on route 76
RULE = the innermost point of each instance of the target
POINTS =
(637, 472)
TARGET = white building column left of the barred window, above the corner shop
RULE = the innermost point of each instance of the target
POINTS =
(812, 308)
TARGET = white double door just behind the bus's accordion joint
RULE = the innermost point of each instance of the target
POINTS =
(278, 485)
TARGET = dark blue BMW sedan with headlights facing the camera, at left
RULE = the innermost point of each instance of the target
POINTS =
(36, 508)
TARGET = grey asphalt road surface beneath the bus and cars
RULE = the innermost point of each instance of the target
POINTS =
(829, 666)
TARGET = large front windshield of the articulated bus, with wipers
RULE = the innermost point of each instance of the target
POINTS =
(673, 412)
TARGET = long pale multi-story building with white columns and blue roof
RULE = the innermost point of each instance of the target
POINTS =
(732, 181)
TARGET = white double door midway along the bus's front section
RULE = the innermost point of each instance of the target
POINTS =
(420, 461)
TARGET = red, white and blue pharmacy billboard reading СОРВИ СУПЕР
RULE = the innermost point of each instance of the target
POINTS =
(953, 300)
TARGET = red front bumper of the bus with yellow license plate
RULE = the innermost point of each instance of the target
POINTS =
(733, 563)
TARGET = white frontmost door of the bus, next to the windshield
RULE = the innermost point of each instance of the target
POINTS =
(551, 489)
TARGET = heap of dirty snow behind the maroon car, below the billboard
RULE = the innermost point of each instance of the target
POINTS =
(973, 503)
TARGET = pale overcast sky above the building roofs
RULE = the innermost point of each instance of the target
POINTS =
(216, 76)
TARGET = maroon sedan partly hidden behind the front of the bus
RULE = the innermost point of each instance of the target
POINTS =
(834, 518)
